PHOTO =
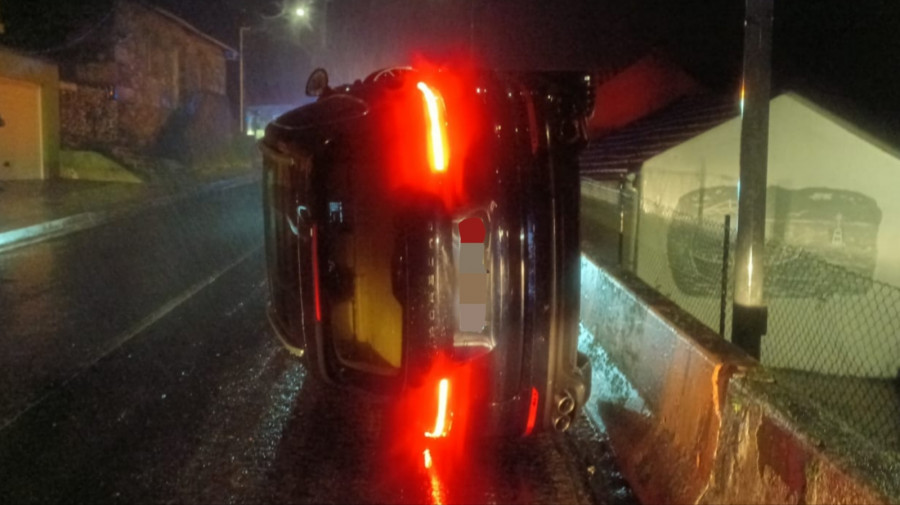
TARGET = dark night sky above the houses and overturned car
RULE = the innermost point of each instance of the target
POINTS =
(846, 52)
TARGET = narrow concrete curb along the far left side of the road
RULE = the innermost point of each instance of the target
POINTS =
(14, 239)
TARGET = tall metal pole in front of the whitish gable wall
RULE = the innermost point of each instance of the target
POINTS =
(750, 314)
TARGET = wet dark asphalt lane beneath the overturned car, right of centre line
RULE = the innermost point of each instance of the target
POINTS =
(204, 406)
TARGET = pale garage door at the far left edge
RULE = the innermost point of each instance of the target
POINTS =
(20, 130)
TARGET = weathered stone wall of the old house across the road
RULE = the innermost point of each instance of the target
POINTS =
(139, 92)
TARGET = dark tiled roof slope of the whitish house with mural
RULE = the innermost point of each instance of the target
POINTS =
(626, 149)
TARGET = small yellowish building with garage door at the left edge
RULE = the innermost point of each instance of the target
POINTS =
(29, 117)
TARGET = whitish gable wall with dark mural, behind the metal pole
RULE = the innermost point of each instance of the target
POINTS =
(832, 224)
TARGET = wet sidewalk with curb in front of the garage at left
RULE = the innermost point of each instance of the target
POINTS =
(31, 211)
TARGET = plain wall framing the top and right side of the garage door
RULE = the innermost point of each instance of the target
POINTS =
(46, 75)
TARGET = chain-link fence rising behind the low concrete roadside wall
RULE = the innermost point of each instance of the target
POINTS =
(833, 330)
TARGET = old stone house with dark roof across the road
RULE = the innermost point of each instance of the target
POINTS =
(138, 84)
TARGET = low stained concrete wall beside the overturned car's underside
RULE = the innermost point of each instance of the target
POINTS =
(692, 419)
